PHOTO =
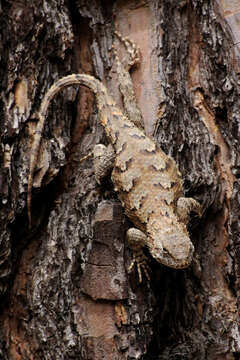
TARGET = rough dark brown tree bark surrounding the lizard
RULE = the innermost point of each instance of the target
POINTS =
(65, 290)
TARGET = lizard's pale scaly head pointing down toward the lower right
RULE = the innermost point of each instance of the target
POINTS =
(171, 246)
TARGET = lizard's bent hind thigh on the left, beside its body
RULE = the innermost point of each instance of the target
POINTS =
(103, 160)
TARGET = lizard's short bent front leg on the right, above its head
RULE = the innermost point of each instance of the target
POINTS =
(187, 205)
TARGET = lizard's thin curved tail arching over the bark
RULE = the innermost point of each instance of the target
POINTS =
(82, 79)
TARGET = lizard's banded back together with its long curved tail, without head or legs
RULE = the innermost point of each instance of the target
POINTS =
(143, 175)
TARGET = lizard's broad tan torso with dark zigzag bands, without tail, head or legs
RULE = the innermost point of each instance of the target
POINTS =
(147, 180)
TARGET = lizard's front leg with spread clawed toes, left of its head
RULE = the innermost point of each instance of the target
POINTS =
(137, 240)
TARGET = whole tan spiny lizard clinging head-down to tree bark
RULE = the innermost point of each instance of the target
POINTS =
(147, 181)
